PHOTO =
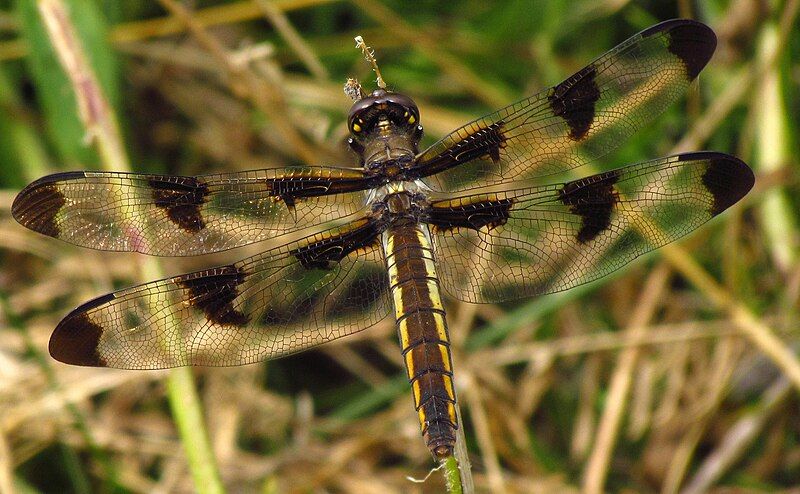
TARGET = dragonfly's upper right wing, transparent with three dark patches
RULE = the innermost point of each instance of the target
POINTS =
(581, 119)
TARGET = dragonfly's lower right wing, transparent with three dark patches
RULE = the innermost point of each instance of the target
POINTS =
(521, 243)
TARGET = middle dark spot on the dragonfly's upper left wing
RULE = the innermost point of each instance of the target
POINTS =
(182, 198)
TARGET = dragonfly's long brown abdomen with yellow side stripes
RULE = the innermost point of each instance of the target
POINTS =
(422, 329)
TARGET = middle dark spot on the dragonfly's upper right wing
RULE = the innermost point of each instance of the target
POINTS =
(574, 100)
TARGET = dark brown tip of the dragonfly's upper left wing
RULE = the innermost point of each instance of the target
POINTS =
(37, 206)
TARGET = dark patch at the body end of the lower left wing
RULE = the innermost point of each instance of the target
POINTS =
(324, 253)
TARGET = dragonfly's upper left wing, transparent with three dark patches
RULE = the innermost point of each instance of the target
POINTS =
(174, 215)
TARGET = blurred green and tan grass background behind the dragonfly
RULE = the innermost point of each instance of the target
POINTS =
(676, 377)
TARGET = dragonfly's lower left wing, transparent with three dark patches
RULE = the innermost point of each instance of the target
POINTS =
(276, 303)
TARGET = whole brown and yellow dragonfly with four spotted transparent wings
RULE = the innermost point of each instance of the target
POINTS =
(491, 212)
